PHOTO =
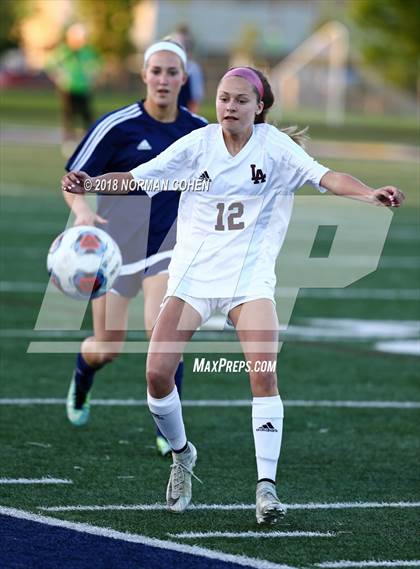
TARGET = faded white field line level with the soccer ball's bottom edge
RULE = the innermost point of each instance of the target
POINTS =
(347, 293)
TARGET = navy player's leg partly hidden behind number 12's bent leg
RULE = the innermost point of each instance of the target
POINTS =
(154, 289)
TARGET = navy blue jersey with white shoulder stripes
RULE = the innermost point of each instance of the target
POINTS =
(118, 142)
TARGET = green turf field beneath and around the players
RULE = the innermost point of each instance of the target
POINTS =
(330, 454)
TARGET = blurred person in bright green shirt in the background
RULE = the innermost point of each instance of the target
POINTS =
(73, 66)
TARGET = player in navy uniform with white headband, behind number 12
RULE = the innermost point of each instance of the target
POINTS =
(144, 229)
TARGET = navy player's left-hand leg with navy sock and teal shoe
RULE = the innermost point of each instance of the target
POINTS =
(110, 314)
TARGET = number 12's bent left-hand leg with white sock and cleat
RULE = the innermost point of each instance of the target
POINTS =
(174, 327)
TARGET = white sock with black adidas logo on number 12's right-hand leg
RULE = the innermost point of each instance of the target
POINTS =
(267, 426)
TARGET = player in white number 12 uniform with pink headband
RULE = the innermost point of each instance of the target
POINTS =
(228, 239)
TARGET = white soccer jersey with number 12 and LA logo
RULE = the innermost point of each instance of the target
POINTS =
(228, 237)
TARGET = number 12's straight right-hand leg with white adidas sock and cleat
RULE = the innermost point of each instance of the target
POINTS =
(257, 329)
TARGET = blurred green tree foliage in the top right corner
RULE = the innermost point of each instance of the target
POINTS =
(390, 38)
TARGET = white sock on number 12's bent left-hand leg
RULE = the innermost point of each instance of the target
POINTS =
(167, 414)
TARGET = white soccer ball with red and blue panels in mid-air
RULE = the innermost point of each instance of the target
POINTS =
(84, 262)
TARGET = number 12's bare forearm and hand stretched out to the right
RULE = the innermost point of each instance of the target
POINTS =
(345, 185)
